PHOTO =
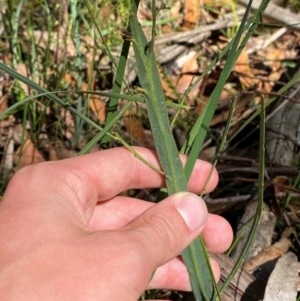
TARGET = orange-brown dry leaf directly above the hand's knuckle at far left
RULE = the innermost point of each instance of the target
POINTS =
(27, 155)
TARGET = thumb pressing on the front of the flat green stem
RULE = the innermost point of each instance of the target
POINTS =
(167, 228)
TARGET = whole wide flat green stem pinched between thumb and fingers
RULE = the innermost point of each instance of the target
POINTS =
(193, 256)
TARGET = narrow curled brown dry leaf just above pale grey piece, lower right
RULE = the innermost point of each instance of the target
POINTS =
(267, 254)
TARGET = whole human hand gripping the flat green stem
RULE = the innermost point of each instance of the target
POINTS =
(67, 235)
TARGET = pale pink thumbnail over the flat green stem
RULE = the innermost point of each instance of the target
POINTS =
(192, 209)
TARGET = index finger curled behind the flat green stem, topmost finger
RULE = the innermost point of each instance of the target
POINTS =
(116, 170)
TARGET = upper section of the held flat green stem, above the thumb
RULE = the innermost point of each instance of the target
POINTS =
(158, 115)
